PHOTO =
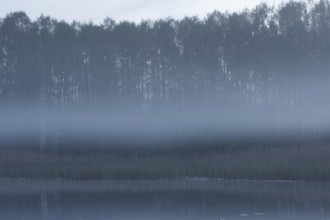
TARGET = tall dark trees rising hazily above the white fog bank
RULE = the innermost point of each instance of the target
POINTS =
(258, 56)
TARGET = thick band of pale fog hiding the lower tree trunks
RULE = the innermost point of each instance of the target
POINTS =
(161, 123)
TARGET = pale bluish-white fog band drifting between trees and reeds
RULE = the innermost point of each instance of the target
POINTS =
(164, 124)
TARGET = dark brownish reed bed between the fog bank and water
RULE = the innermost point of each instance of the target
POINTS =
(294, 162)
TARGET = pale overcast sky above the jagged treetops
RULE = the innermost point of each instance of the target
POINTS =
(133, 10)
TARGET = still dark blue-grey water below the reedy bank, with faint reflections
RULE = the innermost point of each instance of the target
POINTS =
(166, 199)
